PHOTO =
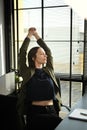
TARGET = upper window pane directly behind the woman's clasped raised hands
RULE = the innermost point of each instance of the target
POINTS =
(27, 19)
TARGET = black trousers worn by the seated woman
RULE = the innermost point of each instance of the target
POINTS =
(42, 118)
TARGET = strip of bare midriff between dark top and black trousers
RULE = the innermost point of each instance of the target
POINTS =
(43, 103)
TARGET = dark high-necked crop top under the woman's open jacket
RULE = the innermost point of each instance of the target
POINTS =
(40, 87)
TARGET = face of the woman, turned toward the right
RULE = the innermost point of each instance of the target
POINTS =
(41, 57)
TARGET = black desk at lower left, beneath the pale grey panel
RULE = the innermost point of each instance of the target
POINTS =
(8, 115)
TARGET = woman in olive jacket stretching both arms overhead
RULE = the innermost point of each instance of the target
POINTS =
(40, 89)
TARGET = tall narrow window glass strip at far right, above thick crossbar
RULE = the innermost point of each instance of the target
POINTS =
(77, 44)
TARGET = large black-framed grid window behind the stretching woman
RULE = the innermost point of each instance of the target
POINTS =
(63, 31)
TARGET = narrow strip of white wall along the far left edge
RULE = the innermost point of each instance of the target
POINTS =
(2, 39)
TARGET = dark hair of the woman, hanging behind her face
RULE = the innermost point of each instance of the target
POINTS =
(31, 55)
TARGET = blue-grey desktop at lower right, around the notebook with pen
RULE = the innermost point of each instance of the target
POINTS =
(72, 124)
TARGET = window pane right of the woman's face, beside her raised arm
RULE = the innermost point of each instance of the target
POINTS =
(60, 52)
